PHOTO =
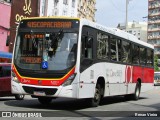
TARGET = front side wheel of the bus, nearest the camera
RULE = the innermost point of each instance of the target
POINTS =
(94, 102)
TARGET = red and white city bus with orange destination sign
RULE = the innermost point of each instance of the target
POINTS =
(77, 58)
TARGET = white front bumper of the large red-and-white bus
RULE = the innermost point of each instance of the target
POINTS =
(47, 91)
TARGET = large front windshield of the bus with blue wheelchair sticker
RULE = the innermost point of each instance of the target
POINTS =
(56, 49)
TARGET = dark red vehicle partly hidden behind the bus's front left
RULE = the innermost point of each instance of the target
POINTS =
(5, 81)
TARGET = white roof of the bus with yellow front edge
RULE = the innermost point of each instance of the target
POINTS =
(114, 31)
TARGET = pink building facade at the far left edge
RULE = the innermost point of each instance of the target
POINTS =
(4, 24)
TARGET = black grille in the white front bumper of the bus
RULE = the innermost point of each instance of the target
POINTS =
(48, 91)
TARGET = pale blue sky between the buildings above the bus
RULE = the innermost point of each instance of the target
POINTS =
(111, 12)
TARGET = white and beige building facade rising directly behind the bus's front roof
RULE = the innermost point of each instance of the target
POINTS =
(73, 8)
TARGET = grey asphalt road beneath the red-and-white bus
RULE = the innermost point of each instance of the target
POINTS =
(111, 107)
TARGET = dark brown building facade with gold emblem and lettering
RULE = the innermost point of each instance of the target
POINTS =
(21, 9)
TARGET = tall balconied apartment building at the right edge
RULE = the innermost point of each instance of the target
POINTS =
(154, 24)
